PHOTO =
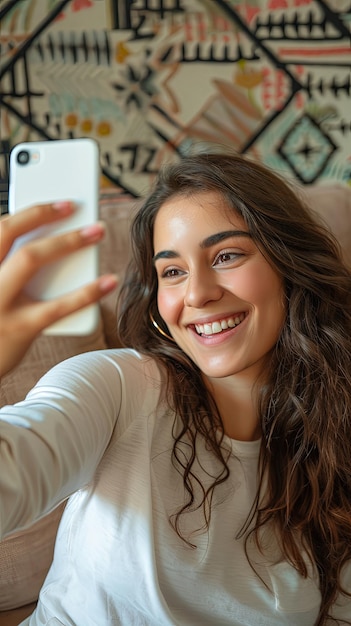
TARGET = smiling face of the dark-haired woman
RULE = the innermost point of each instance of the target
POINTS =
(221, 300)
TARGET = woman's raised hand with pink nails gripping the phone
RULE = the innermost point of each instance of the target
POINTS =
(22, 319)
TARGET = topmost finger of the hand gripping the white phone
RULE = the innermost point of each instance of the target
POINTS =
(13, 226)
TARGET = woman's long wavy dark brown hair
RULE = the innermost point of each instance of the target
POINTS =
(305, 407)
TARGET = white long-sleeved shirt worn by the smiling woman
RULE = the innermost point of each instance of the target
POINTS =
(97, 426)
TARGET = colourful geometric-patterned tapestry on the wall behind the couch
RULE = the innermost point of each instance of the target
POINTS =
(150, 78)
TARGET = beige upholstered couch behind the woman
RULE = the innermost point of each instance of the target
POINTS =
(25, 557)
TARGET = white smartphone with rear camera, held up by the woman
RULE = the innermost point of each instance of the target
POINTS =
(50, 171)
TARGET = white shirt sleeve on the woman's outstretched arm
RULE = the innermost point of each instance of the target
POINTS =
(52, 442)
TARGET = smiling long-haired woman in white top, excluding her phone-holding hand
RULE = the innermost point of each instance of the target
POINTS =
(210, 460)
